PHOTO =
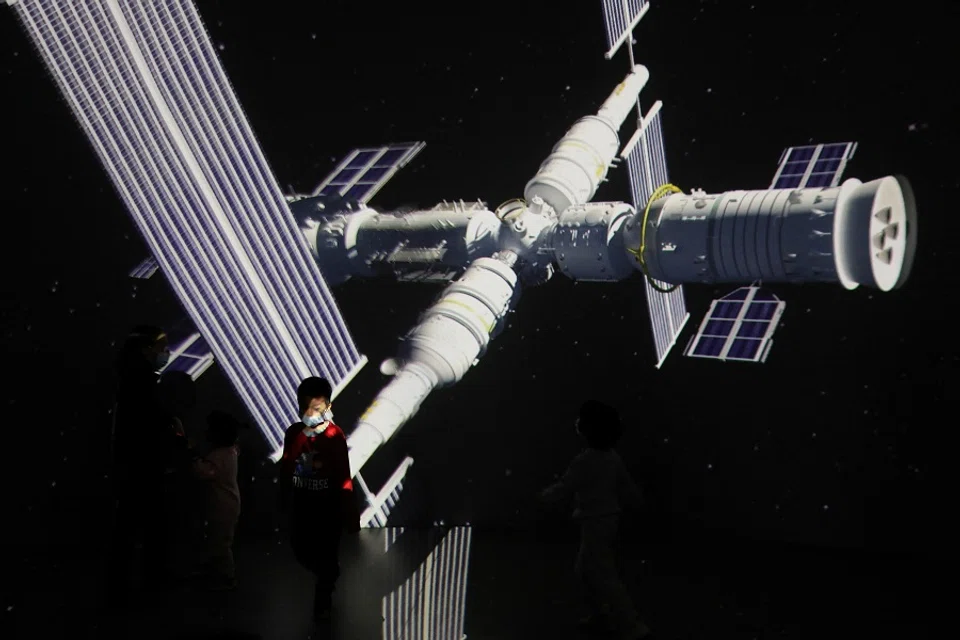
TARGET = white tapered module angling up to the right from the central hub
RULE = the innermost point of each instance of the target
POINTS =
(579, 162)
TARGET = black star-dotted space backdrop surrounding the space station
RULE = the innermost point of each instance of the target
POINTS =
(829, 447)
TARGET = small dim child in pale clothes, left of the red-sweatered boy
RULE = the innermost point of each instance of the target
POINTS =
(219, 469)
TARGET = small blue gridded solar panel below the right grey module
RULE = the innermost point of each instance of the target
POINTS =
(739, 326)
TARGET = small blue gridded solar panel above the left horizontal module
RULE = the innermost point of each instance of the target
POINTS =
(363, 172)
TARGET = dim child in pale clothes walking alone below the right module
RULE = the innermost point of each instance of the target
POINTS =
(601, 486)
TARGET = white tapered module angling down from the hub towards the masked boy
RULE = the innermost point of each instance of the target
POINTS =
(451, 335)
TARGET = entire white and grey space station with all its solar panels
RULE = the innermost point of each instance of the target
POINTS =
(150, 92)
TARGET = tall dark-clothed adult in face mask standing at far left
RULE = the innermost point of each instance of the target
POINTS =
(146, 443)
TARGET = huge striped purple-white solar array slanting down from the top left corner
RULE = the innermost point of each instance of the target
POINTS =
(150, 93)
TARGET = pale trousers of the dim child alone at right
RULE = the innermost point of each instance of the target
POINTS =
(596, 567)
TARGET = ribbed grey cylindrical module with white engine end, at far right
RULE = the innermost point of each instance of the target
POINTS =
(857, 233)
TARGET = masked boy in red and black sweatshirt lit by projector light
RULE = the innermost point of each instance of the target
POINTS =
(317, 490)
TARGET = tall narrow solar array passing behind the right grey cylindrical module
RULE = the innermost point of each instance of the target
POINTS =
(647, 167)
